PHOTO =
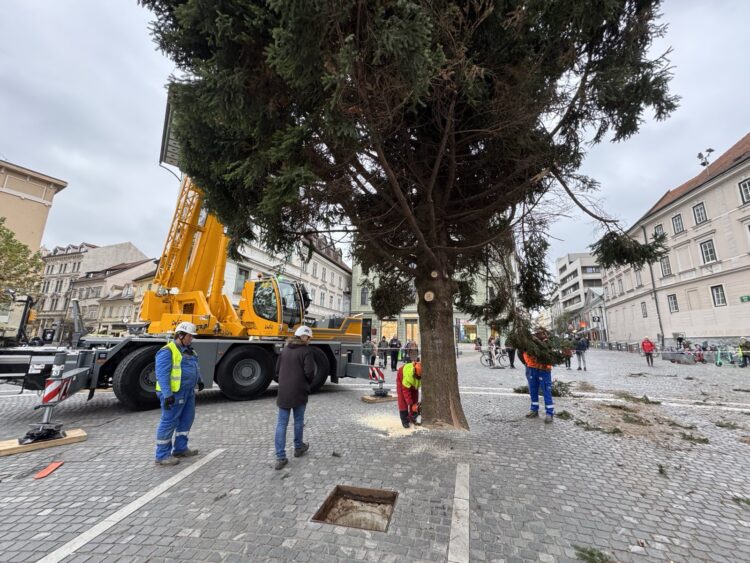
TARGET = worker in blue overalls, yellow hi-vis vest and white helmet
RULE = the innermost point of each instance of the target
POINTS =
(177, 374)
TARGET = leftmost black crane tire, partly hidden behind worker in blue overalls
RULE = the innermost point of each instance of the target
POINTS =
(134, 380)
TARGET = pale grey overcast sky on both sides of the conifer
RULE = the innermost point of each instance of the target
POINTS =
(82, 99)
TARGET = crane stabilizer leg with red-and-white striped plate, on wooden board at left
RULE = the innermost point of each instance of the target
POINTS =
(57, 388)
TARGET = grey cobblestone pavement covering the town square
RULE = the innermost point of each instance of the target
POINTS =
(538, 492)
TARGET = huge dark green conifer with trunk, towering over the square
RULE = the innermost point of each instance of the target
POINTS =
(441, 136)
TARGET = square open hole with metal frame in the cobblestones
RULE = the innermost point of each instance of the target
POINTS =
(355, 507)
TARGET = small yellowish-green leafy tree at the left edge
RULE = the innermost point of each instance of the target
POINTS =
(20, 269)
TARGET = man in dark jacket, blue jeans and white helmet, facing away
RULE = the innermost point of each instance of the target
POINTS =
(295, 370)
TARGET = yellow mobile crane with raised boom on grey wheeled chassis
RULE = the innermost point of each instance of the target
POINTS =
(237, 350)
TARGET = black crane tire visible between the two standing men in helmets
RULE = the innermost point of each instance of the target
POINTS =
(245, 373)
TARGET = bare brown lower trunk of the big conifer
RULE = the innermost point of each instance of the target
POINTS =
(441, 401)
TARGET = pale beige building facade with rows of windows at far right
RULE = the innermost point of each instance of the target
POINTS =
(701, 290)
